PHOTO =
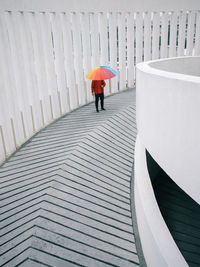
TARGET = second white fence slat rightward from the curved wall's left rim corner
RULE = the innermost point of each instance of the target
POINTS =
(147, 36)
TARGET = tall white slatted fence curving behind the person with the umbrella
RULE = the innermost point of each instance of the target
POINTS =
(45, 56)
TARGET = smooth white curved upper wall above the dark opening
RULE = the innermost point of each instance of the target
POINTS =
(168, 120)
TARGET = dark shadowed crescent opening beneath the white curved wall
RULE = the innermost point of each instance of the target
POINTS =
(180, 212)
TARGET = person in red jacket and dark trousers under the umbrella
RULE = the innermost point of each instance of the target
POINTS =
(97, 88)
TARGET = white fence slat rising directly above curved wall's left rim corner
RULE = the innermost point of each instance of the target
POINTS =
(139, 37)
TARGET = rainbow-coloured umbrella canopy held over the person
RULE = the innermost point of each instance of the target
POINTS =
(101, 73)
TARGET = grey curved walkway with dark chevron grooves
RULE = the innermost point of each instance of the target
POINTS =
(65, 195)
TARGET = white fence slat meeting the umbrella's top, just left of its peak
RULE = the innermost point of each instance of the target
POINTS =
(94, 29)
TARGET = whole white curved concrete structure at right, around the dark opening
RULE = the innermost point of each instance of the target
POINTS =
(167, 100)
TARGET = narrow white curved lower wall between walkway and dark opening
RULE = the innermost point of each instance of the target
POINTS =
(158, 246)
